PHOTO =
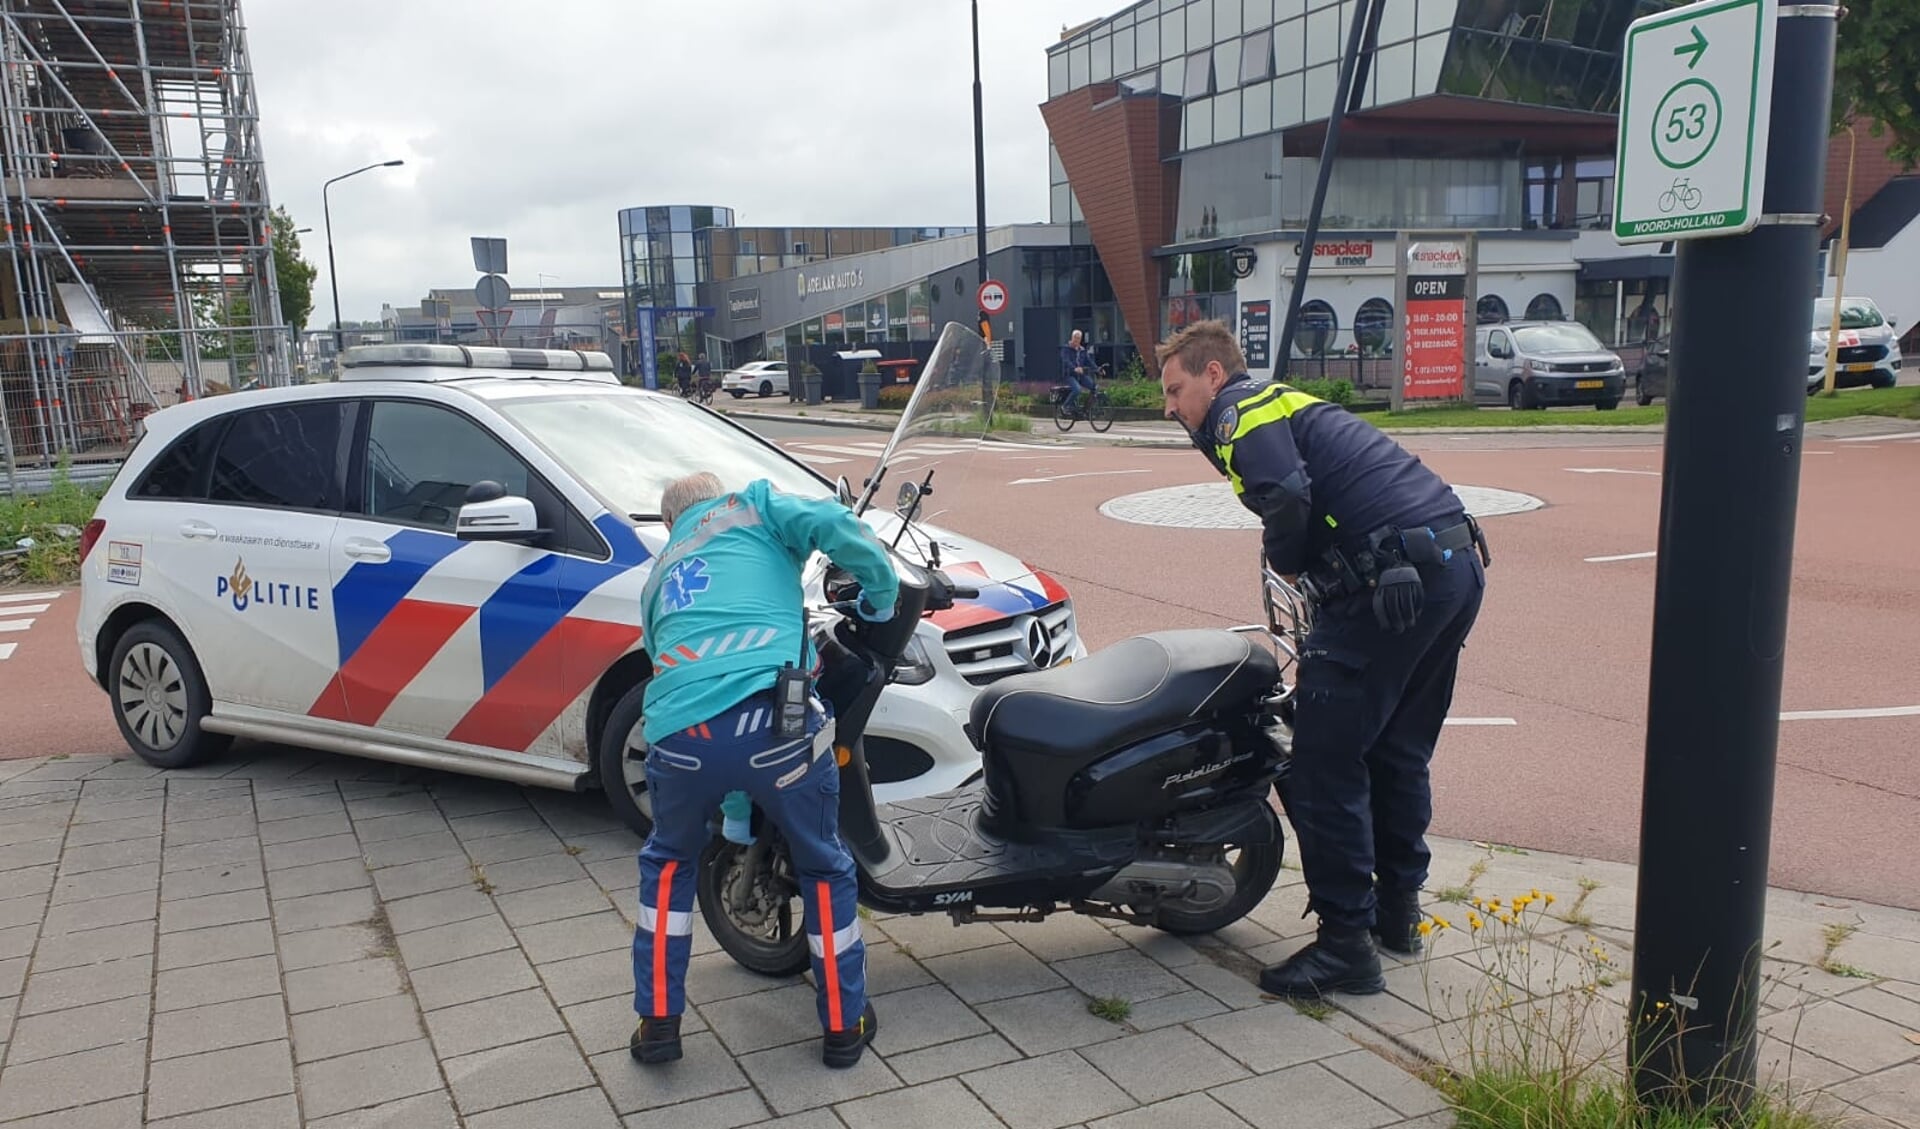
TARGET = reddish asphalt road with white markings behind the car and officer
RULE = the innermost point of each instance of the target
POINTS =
(1554, 683)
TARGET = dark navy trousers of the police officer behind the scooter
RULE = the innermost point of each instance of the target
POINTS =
(1366, 721)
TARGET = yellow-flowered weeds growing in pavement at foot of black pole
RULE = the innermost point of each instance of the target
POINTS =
(1533, 1040)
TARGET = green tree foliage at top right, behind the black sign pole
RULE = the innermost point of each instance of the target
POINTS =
(1877, 74)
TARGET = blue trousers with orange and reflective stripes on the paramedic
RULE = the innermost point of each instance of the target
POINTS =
(798, 788)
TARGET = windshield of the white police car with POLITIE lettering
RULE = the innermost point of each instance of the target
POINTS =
(629, 446)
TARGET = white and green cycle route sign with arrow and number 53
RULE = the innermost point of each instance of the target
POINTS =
(1694, 114)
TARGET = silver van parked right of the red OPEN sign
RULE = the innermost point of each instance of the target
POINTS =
(1545, 364)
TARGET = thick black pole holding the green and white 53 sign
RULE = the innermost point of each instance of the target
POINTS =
(1737, 412)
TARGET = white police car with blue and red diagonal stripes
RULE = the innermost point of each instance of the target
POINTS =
(439, 562)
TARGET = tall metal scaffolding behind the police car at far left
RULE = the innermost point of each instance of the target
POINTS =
(137, 222)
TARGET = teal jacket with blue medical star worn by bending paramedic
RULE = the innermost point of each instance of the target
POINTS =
(723, 608)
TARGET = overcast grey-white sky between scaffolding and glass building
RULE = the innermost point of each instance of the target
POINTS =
(540, 122)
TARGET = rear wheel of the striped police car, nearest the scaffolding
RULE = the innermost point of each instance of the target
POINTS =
(160, 696)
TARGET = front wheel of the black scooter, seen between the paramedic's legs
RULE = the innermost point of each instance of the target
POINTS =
(750, 901)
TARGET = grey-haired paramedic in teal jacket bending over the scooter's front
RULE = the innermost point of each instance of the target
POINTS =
(723, 619)
